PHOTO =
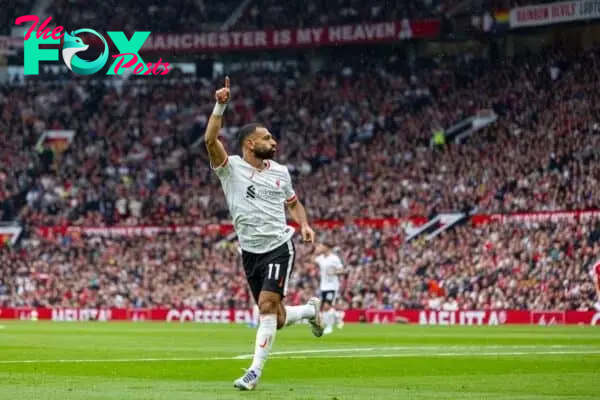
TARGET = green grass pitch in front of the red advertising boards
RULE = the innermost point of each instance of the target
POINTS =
(123, 361)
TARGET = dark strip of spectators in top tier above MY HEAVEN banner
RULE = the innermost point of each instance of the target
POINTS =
(191, 16)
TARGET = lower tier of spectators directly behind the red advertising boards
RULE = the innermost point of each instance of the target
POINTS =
(528, 266)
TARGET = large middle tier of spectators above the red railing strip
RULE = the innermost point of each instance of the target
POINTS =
(138, 157)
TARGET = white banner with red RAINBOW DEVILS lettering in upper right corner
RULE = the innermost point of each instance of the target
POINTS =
(554, 13)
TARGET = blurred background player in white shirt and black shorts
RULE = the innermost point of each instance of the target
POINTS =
(331, 267)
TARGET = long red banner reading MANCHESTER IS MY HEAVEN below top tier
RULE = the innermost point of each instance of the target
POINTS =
(365, 33)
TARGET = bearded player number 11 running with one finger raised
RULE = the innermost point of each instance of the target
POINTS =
(257, 191)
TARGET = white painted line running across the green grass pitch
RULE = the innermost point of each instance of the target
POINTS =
(304, 354)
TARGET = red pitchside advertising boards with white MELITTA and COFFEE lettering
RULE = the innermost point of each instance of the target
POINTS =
(244, 316)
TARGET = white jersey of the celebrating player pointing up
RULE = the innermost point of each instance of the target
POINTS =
(256, 201)
